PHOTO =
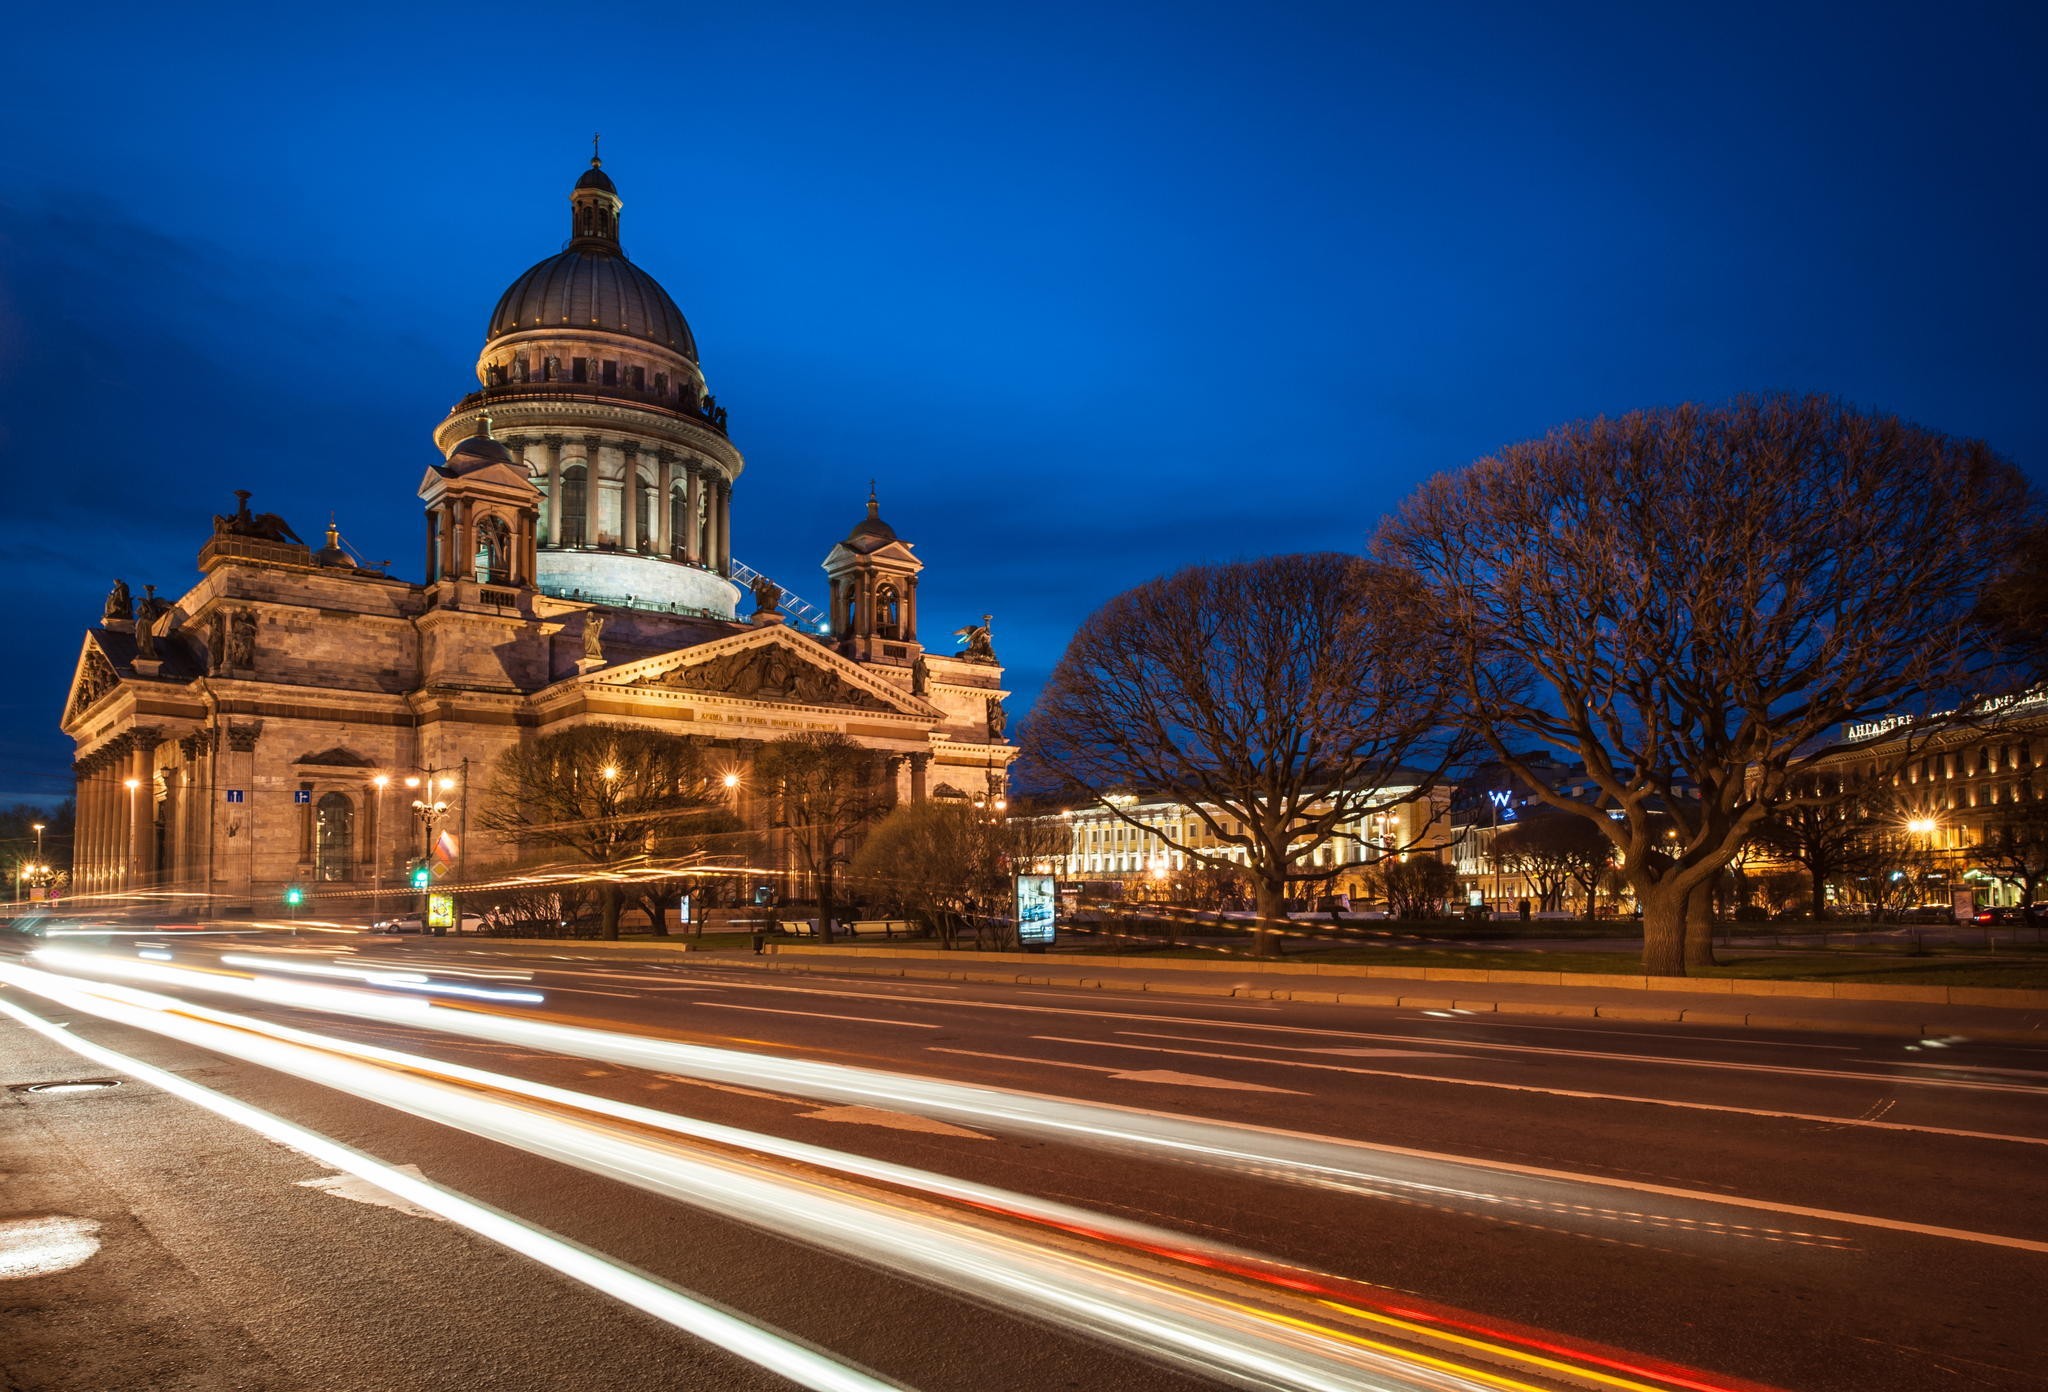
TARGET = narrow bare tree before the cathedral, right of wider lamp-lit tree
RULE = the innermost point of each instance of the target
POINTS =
(826, 791)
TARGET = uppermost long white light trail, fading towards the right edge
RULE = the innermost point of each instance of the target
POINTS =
(1498, 1190)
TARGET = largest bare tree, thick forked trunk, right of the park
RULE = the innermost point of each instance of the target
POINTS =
(1687, 601)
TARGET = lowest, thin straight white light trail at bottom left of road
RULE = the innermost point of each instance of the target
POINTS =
(658, 1299)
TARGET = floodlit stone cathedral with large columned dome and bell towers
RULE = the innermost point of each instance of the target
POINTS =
(278, 724)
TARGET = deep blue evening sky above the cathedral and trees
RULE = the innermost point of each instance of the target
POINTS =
(1093, 292)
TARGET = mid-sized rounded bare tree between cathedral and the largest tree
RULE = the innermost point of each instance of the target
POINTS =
(1277, 701)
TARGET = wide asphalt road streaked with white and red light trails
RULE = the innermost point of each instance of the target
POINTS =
(697, 1174)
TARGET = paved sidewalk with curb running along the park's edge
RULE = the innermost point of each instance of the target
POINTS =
(1893, 1012)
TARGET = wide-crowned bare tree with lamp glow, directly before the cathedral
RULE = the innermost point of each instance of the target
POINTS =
(617, 797)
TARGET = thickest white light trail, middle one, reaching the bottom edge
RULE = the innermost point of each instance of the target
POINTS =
(1209, 1332)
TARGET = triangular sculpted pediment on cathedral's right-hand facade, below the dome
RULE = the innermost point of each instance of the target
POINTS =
(771, 666)
